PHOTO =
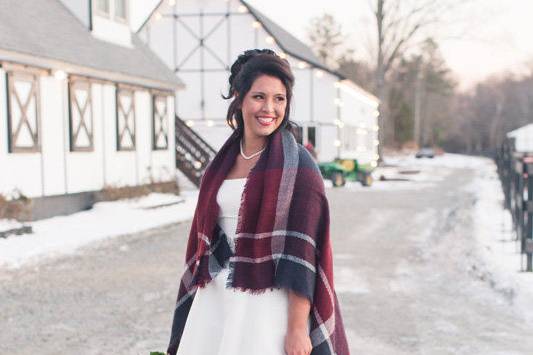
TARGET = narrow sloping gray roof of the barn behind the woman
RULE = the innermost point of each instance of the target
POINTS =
(287, 41)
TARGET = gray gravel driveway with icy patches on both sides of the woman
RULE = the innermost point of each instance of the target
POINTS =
(405, 270)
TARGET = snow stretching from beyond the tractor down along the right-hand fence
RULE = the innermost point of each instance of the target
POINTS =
(499, 252)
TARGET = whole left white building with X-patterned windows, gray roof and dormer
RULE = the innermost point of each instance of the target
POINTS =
(84, 104)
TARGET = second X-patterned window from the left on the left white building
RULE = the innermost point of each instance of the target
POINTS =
(80, 115)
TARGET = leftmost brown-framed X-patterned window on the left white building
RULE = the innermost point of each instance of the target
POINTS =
(23, 112)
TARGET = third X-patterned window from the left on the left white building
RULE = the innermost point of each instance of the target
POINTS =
(125, 119)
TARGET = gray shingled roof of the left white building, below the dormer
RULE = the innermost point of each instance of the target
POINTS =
(47, 29)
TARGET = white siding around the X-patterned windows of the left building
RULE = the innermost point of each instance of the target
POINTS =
(59, 171)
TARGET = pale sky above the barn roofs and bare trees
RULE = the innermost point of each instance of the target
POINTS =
(487, 36)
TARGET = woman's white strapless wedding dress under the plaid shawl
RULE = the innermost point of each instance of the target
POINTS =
(224, 321)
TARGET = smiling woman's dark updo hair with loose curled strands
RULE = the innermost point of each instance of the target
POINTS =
(248, 67)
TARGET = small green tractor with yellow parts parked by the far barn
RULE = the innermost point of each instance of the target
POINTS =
(340, 170)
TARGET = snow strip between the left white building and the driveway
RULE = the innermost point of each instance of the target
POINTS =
(65, 234)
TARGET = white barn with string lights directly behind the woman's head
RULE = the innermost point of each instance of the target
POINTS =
(200, 39)
